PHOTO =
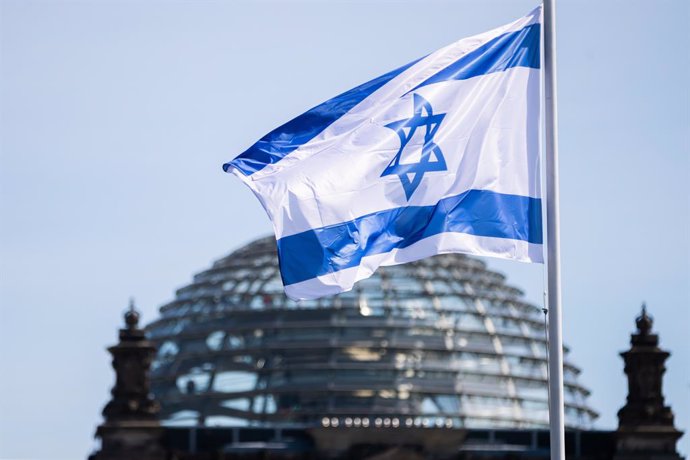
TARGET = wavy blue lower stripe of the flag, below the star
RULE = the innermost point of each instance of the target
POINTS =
(329, 249)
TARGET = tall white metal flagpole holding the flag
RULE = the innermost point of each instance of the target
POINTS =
(556, 417)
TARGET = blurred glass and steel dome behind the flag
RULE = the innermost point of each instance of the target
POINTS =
(440, 342)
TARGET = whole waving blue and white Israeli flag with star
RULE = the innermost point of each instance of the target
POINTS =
(440, 155)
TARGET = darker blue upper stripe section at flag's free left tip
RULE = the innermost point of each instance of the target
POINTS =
(283, 140)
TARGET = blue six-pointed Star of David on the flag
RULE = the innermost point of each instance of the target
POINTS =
(431, 159)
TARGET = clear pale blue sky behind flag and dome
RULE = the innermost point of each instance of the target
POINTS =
(115, 118)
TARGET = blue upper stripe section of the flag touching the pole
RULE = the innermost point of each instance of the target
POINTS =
(514, 49)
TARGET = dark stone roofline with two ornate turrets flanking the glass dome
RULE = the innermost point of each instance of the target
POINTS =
(132, 431)
